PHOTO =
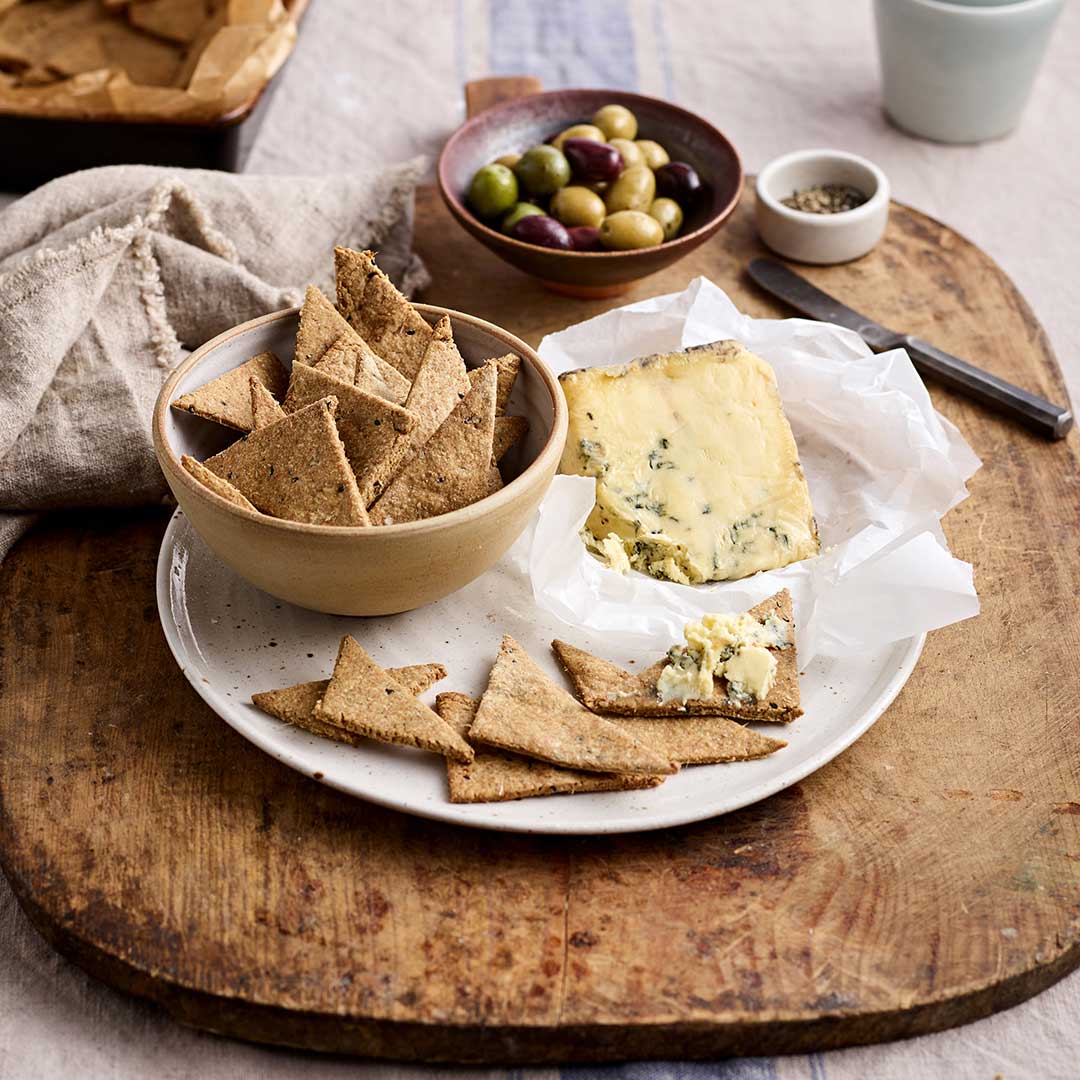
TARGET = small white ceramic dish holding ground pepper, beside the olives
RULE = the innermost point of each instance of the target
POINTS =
(823, 239)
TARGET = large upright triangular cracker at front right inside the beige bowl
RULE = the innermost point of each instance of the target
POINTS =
(454, 468)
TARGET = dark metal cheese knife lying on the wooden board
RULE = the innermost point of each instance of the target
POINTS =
(1050, 421)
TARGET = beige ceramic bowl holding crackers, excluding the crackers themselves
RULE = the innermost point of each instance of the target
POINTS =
(350, 571)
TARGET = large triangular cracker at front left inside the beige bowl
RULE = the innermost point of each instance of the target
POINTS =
(296, 469)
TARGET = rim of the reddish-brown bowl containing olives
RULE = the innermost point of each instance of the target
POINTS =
(463, 214)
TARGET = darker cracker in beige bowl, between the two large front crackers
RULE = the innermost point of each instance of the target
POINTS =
(375, 433)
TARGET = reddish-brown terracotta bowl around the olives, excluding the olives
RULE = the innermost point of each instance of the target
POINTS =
(526, 121)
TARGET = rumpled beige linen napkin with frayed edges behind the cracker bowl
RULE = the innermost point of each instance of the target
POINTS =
(111, 277)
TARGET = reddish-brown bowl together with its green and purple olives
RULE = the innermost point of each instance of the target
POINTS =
(590, 191)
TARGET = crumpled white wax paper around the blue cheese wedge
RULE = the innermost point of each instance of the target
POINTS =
(883, 466)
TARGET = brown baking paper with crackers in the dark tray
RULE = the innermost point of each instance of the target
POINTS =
(147, 60)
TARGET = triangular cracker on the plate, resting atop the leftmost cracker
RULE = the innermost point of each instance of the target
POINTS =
(366, 700)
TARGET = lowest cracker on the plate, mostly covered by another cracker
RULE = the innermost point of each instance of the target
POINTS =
(496, 776)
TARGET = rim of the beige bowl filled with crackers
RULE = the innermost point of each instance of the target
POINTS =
(548, 457)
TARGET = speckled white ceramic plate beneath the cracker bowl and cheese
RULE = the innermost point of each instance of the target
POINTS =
(232, 641)
